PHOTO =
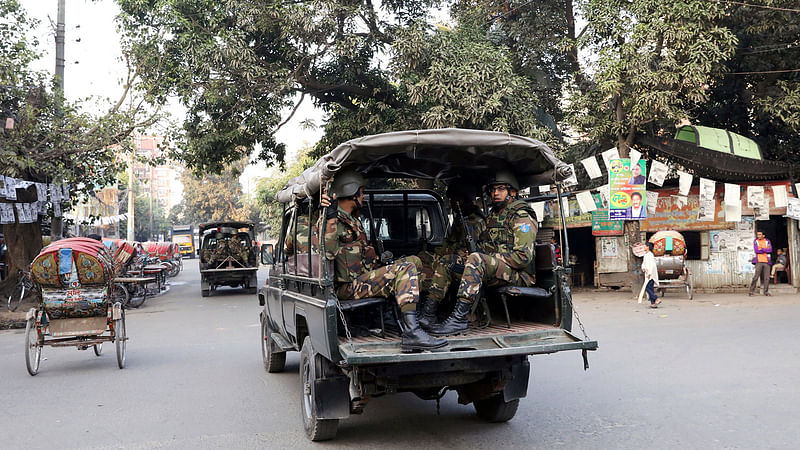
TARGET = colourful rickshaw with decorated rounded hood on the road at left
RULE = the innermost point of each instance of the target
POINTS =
(77, 309)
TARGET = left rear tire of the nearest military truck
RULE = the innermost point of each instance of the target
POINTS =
(311, 367)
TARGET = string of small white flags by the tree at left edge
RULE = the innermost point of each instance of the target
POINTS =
(47, 194)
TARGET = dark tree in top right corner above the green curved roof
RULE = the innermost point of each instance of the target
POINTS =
(758, 95)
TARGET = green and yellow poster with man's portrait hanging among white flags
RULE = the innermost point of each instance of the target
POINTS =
(626, 185)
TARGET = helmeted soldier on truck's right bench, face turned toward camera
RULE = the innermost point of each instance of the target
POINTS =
(506, 254)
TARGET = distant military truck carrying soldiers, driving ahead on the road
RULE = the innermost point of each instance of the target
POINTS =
(227, 256)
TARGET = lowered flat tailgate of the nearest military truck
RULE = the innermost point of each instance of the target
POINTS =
(496, 340)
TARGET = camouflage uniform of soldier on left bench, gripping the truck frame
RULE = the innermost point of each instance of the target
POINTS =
(357, 271)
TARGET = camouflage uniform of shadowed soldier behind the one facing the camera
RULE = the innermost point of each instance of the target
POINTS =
(454, 251)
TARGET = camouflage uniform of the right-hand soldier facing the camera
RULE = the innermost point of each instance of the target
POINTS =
(506, 252)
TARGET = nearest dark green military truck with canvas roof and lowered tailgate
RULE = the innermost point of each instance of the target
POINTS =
(350, 350)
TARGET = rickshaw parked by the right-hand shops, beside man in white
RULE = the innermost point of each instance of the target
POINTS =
(669, 248)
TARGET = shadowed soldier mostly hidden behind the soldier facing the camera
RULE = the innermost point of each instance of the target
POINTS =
(448, 261)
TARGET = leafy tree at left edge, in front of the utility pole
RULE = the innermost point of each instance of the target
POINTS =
(50, 140)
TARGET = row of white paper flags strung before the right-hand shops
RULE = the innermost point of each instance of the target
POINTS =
(633, 184)
